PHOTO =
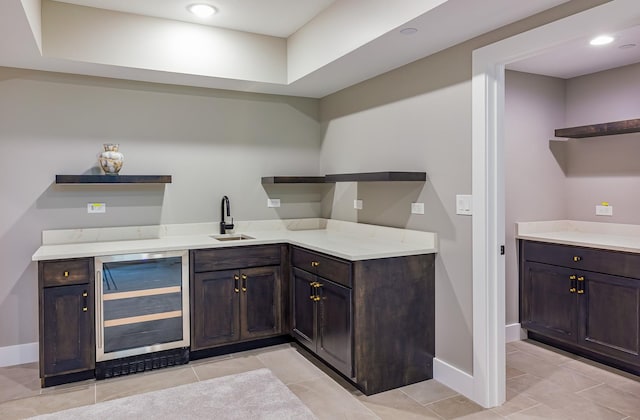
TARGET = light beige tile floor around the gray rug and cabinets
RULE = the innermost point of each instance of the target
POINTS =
(542, 383)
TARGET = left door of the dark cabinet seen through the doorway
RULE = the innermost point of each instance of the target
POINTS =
(549, 306)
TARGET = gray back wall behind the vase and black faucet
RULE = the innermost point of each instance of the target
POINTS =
(212, 142)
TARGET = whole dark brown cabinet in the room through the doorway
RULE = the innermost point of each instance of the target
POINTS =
(585, 300)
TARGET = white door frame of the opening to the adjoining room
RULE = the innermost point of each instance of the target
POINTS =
(488, 224)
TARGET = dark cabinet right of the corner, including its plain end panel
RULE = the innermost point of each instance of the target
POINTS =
(372, 320)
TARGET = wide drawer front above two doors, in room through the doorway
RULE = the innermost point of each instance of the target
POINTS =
(598, 260)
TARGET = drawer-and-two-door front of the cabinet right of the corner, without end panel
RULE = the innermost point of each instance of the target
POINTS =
(322, 307)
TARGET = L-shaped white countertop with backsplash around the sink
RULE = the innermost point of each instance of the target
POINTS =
(351, 241)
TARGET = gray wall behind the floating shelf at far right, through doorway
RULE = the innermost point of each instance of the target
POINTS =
(604, 168)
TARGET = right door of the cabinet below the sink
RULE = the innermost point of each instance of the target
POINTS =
(260, 313)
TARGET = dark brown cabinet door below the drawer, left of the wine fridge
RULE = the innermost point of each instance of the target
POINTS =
(67, 329)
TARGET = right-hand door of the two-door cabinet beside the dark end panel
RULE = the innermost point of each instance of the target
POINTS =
(335, 325)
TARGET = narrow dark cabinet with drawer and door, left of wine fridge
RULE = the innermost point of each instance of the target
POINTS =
(66, 295)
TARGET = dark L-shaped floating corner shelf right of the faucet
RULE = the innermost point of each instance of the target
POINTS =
(355, 177)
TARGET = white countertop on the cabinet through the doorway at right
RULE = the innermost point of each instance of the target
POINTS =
(612, 236)
